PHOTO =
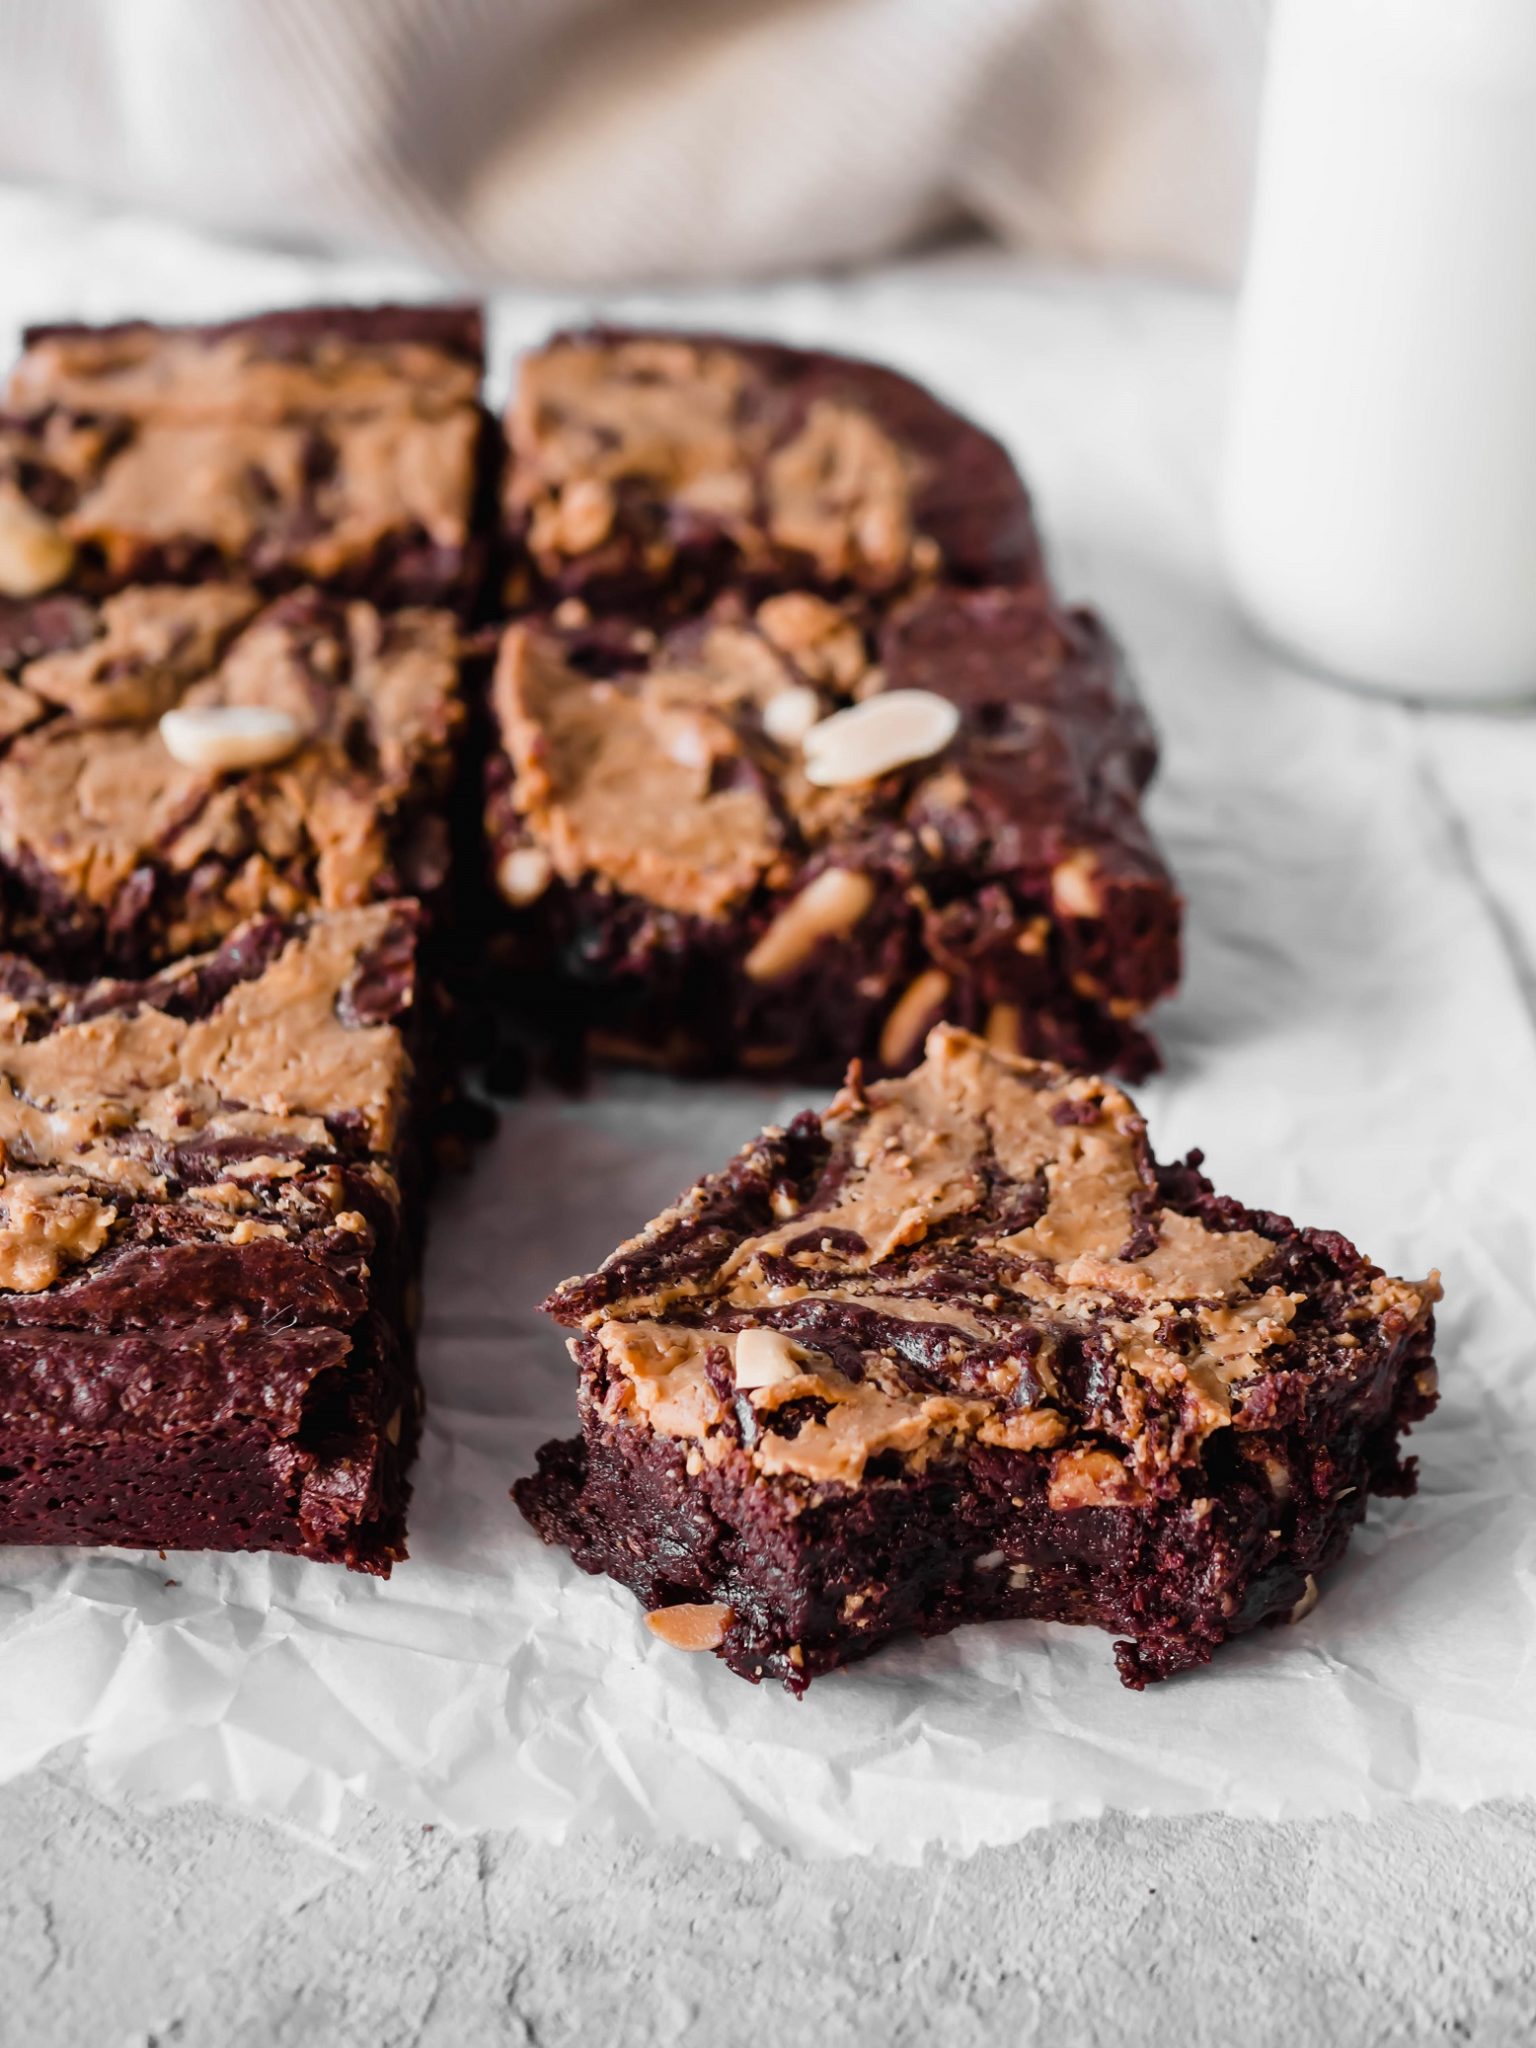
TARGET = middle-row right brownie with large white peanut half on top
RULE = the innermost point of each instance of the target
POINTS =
(775, 843)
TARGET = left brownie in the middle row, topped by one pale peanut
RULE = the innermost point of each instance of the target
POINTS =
(175, 761)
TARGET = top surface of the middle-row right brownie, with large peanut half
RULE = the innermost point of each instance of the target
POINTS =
(695, 771)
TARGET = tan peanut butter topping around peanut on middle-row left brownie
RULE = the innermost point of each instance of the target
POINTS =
(95, 796)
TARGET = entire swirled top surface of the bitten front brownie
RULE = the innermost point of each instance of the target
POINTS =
(984, 1252)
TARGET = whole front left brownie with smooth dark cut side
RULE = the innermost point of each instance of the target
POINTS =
(208, 1248)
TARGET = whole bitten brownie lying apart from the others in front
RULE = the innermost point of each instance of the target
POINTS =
(959, 1351)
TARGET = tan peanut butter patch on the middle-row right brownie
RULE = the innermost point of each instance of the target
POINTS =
(683, 783)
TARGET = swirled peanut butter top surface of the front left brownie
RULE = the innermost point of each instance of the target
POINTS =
(226, 1111)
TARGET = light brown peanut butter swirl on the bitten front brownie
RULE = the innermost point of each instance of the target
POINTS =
(919, 1162)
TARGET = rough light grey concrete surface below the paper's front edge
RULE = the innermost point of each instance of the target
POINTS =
(208, 1930)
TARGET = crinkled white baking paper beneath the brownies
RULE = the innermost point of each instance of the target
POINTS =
(1357, 1046)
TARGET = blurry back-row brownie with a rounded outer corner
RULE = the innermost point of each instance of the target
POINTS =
(650, 470)
